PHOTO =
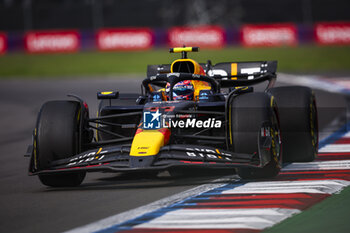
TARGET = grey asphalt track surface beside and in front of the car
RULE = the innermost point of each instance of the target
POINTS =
(28, 206)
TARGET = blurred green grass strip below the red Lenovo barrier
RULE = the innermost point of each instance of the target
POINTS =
(290, 59)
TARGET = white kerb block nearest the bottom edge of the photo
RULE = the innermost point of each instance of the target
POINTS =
(220, 219)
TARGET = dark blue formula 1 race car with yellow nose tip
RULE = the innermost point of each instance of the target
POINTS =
(188, 115)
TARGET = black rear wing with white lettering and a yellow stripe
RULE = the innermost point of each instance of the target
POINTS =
(230, 74)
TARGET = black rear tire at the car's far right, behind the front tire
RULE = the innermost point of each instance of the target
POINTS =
(298, 120)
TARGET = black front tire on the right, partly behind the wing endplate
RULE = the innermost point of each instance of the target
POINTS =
(249, 112)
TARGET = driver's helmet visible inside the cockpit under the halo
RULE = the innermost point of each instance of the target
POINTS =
(183, 90)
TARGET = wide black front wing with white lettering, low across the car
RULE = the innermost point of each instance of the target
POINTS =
(117, 159)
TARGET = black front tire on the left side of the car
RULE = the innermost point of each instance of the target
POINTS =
(57, 137)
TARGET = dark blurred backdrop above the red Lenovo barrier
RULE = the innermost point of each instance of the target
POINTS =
(21, 15)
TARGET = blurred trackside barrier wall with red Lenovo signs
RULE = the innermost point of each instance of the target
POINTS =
(121, 39)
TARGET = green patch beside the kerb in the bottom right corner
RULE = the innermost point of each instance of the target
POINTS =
(330, 216)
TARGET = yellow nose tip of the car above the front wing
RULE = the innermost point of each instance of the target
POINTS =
(146, 143)
